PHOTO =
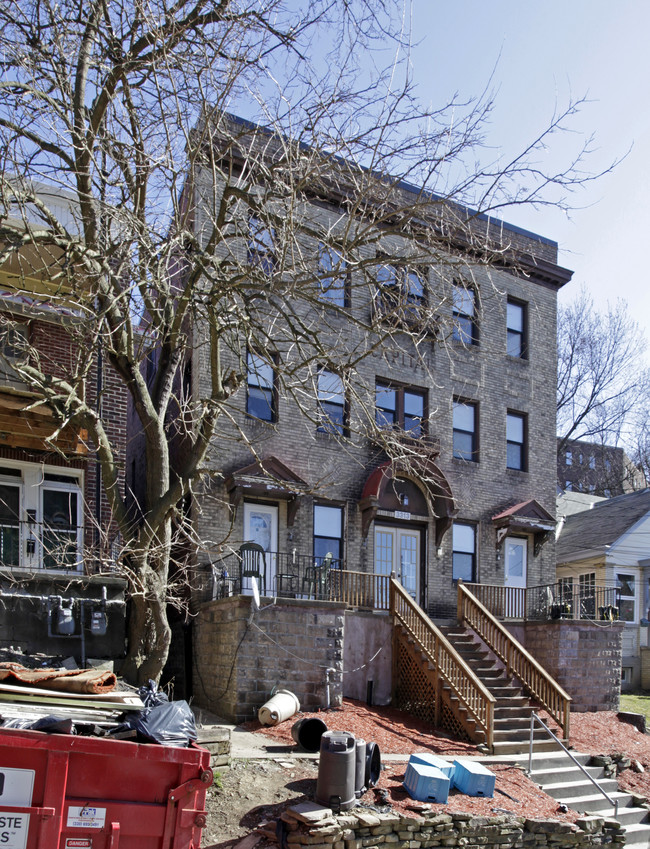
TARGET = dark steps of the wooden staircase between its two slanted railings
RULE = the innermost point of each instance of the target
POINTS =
(512, 708)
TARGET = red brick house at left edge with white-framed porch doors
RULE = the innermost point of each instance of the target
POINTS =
(59, 592)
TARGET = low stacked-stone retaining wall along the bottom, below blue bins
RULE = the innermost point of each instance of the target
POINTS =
(315, 827)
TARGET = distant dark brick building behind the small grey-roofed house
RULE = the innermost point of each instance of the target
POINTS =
(597, 469)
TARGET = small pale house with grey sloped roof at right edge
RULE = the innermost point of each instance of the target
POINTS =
(608, 546)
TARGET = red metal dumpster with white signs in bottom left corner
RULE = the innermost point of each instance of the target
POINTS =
(61, 791)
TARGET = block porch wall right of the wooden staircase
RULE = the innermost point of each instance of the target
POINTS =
(583, 657)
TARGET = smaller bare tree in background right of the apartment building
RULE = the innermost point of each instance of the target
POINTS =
(602, 375)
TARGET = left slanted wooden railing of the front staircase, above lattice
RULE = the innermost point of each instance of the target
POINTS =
(448, 666)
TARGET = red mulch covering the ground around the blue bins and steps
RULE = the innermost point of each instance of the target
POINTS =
(396, 732)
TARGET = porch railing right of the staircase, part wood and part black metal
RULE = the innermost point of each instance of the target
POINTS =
(548, 601)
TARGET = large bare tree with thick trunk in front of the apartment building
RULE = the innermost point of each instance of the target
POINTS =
(171, 209)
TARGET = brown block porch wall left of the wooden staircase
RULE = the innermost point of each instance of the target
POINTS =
(240, 657)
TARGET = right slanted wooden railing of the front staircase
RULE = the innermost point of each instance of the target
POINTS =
(536, 680)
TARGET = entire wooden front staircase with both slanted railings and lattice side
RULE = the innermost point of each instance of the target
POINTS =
(476, 681)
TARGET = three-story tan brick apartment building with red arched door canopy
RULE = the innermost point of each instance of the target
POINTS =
(473, 407)
